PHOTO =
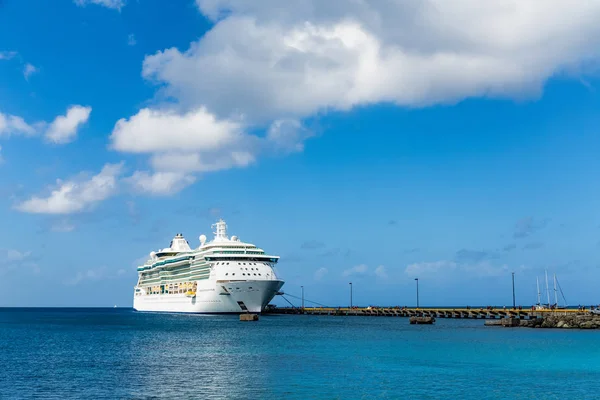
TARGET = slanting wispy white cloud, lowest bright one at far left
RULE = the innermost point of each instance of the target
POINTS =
(77, 194)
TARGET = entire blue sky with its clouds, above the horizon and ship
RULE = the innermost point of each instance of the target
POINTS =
(355, 143)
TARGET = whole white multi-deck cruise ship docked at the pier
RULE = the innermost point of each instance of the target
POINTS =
(224, 275)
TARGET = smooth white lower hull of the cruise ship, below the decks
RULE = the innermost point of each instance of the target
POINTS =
(211, 298)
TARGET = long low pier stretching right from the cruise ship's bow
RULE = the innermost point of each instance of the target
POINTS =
(467, 312)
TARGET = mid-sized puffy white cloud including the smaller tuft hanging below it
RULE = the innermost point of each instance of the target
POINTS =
(181, 143)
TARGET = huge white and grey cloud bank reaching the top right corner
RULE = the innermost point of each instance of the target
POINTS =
(315, 56)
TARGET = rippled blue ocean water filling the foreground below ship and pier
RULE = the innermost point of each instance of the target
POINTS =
(122, 354)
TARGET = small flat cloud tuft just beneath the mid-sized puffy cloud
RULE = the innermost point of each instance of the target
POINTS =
(159, 183)
